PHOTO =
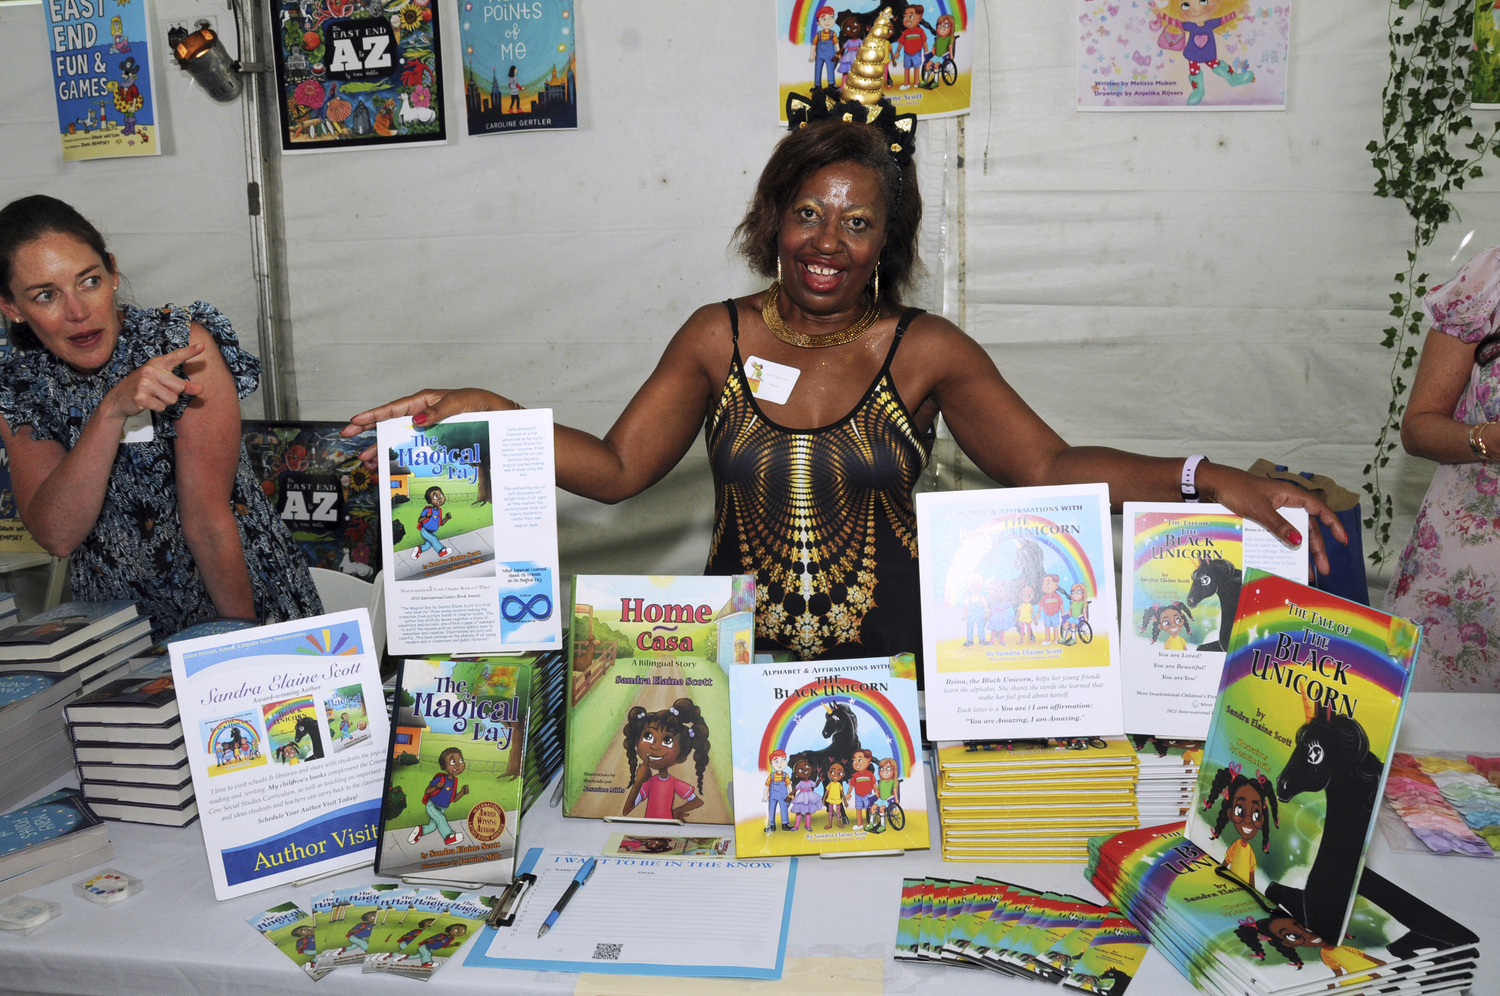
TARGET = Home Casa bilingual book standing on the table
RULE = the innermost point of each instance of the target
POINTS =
(649, 698)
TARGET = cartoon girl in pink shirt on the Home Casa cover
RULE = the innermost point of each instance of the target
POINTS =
(655, 743)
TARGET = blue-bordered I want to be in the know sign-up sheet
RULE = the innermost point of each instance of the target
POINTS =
(740, 913)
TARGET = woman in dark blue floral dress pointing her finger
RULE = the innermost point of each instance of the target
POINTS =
(124, 430)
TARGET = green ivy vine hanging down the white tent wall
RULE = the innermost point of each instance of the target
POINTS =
(1429, 148)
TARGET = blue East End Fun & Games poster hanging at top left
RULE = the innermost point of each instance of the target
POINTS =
(103, 77)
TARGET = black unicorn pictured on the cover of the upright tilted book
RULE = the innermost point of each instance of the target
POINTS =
(1331, 757)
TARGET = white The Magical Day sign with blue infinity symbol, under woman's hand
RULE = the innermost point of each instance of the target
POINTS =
(469, 527)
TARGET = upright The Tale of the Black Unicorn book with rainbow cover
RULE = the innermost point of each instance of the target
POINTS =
(1300, 743)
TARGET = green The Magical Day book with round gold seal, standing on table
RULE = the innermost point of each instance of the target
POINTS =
(455, 773)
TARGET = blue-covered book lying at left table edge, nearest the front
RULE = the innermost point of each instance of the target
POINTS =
(47, 841)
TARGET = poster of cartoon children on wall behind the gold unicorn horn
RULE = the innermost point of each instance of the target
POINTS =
(928, 50)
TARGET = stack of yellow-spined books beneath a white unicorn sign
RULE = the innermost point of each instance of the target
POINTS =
(1034, 800)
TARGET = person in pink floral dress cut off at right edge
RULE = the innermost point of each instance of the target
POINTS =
(1448, 580)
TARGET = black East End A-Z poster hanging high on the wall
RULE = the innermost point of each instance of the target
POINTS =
(358, 74)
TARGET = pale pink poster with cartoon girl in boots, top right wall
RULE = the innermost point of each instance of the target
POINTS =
(1183, 55)
